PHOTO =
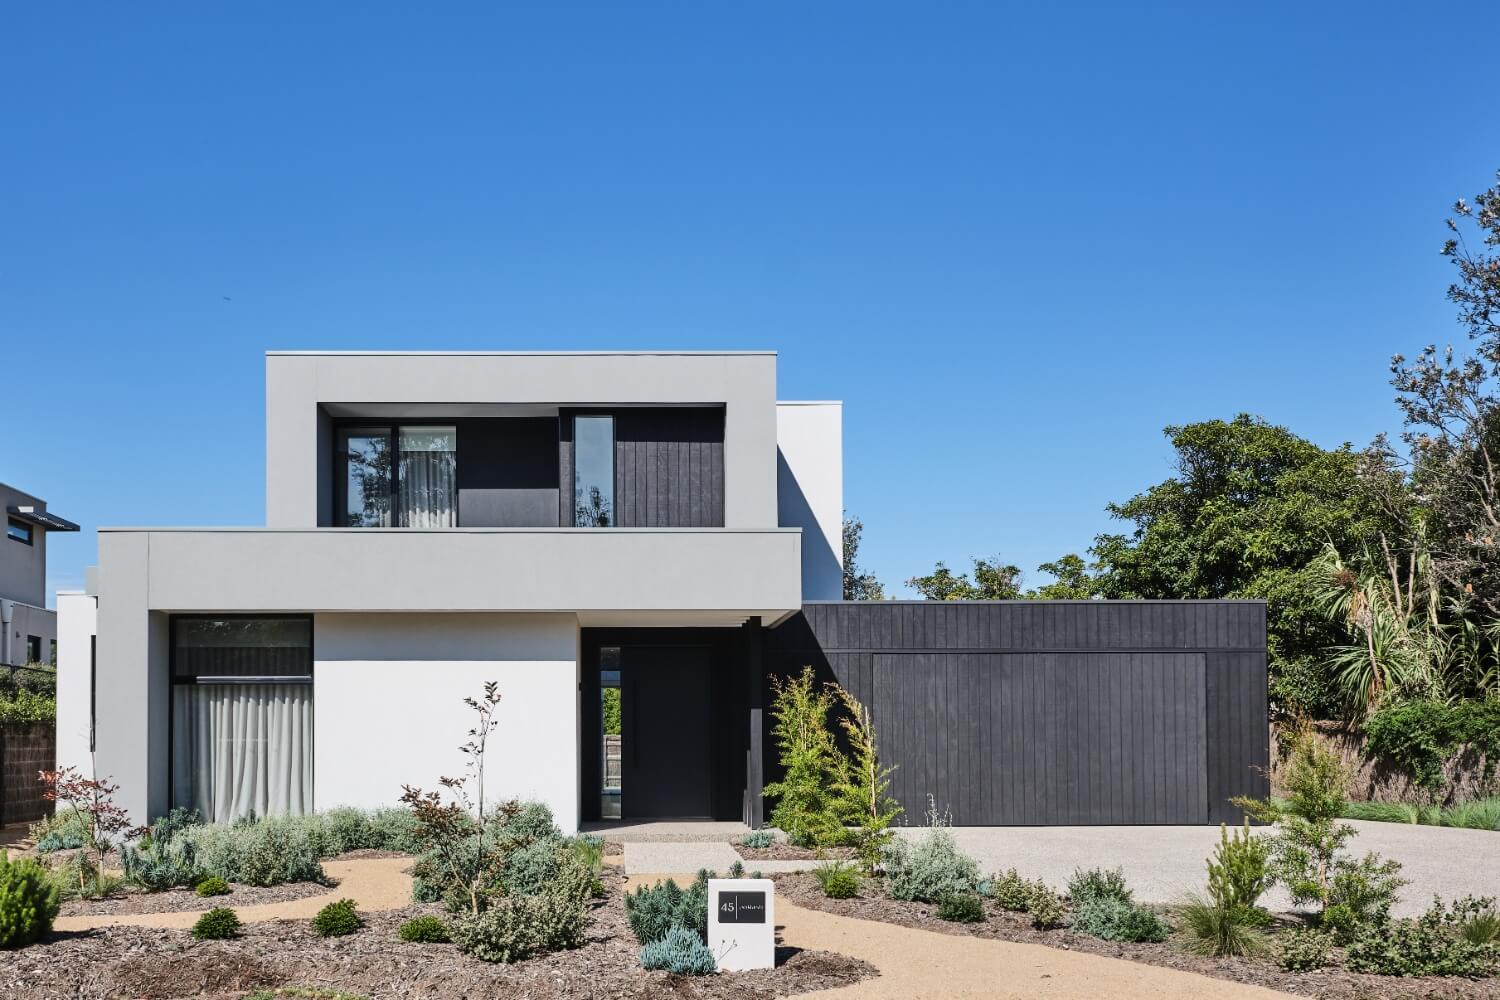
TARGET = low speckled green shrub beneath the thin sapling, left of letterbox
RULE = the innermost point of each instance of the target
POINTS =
(520, 927)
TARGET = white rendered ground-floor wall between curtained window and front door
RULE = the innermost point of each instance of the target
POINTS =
(389, 705)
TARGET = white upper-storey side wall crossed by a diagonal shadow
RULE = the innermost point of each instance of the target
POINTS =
(809, 491)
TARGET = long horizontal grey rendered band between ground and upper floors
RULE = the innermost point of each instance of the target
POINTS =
(613, 576)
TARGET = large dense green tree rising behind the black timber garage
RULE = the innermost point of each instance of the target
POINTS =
(1247, 516)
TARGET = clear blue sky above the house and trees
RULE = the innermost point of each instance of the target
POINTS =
(1016, 241)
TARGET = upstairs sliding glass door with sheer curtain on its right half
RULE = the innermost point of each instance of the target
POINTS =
(398, 476)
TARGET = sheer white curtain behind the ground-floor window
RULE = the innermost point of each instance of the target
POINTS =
(242, 749)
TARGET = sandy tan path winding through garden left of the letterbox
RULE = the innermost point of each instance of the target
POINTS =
(374, 884)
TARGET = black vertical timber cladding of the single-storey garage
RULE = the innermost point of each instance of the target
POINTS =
(1052, 713)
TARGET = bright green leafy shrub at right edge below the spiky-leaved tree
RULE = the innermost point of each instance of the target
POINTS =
(1421, 737)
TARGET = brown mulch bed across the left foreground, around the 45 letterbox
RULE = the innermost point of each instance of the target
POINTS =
(158, 965)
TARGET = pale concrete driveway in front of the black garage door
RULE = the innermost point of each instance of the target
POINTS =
(1163, 863)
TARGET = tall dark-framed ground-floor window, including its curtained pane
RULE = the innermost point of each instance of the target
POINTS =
(242, 716)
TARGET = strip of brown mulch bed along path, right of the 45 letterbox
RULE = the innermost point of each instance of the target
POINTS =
(1333, 984)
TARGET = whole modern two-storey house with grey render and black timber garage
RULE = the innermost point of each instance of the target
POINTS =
(631, 545)
